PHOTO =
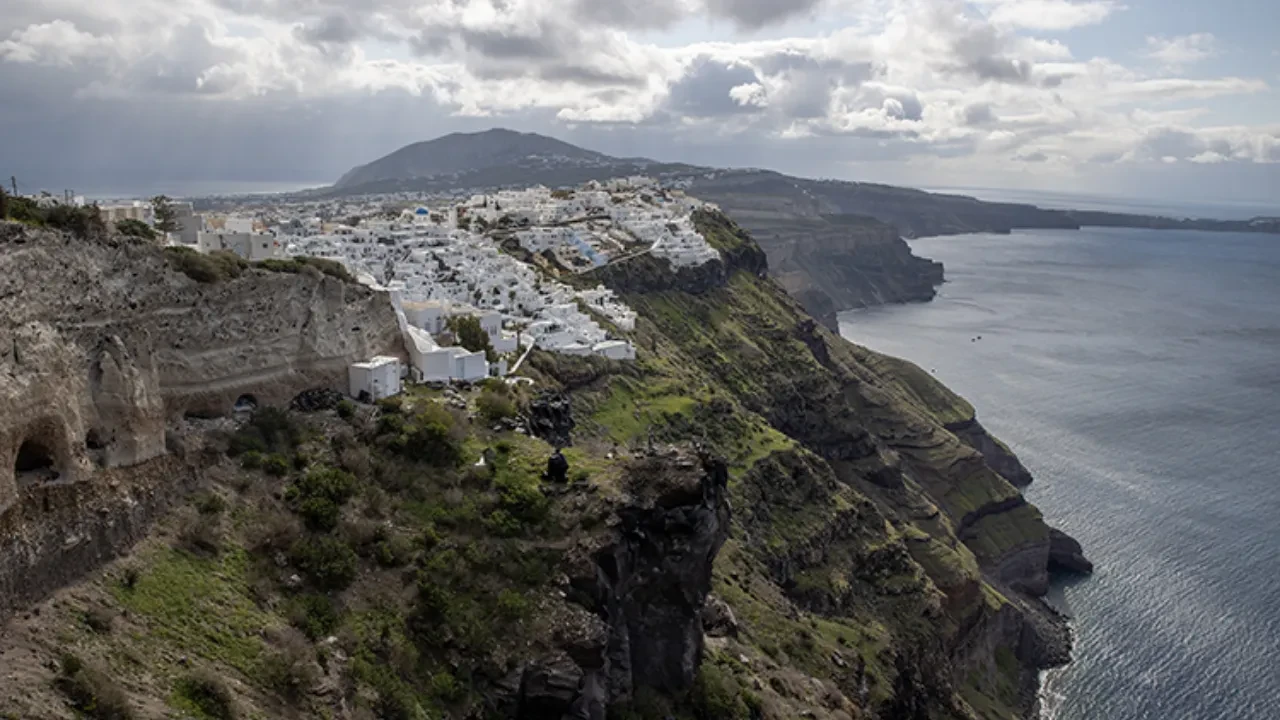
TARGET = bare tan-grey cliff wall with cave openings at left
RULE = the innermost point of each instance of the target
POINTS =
(104, 347)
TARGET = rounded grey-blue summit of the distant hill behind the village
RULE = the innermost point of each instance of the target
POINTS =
(465, 153)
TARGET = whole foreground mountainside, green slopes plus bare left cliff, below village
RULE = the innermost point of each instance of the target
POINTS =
(760, 521)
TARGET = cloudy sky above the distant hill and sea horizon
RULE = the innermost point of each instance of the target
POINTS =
(1172, 99)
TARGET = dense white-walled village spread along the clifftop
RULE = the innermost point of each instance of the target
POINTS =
(481, 258)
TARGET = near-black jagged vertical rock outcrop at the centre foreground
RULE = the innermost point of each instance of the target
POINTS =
(646, 586)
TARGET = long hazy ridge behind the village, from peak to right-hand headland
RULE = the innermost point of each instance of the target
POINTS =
(835, 245)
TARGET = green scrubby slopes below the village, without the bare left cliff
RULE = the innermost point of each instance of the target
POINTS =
(758, 520)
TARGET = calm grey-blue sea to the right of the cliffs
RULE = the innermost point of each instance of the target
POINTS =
(1137, 375)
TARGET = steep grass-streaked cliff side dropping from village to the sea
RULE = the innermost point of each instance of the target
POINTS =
(876, 549)
